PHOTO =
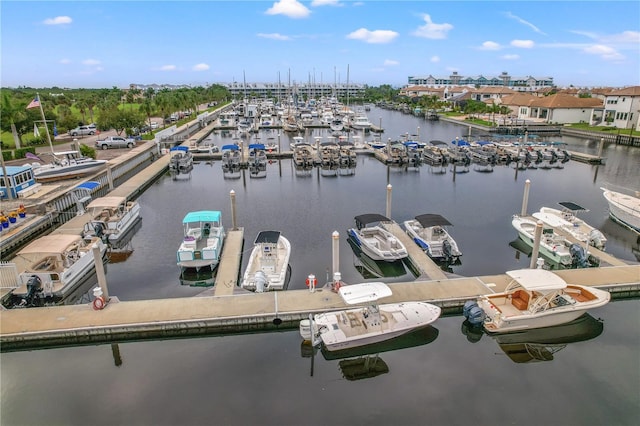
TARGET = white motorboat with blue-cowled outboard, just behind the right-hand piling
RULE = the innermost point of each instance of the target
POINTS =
(552, 245)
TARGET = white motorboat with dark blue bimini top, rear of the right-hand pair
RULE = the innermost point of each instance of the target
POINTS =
(567, 220)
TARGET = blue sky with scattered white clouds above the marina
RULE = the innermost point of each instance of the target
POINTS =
(98, 44)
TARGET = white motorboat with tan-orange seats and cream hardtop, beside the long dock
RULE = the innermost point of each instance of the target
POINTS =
(534, 298)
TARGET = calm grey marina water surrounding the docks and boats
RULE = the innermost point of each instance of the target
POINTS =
(441, 377)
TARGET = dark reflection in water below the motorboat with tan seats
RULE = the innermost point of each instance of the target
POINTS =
(539, 344)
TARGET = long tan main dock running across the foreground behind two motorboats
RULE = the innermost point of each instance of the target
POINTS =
(22, 329)
